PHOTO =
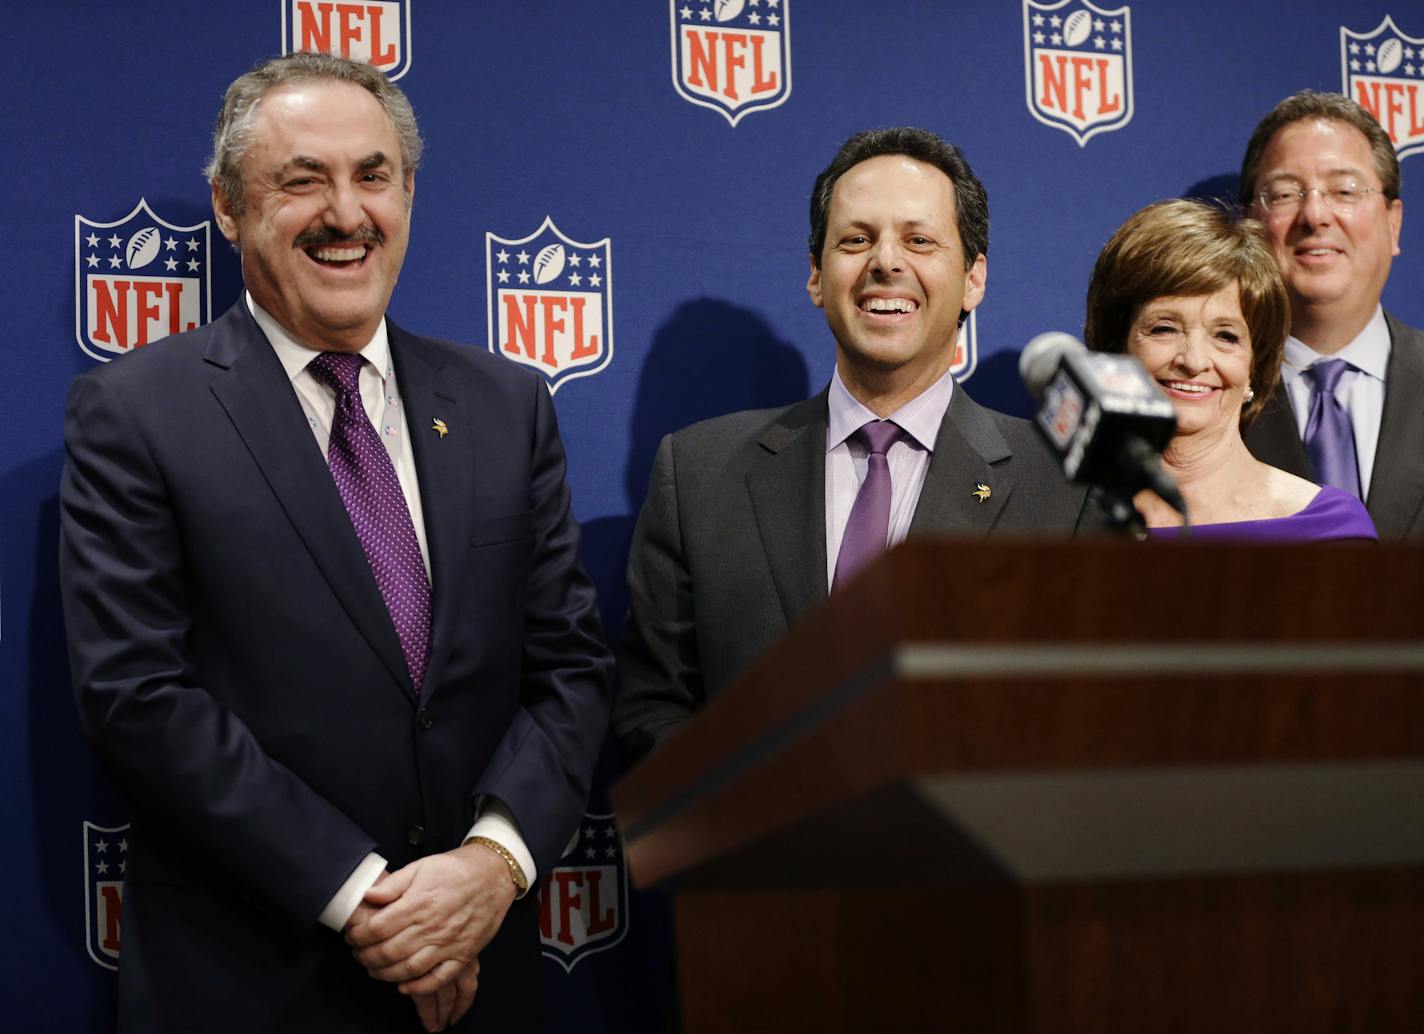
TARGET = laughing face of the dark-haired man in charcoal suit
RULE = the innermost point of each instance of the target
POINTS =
(892, 277)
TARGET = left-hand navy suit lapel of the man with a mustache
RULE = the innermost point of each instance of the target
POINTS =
(254, 391)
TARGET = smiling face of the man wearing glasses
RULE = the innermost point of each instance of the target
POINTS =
(1335, 263)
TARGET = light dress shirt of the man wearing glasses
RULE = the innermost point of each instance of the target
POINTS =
(1361, 391)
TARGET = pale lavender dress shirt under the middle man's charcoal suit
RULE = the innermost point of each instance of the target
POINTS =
(909, 459)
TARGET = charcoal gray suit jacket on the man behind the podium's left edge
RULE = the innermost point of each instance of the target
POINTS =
(730, 549)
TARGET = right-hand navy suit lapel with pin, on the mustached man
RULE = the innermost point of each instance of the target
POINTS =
(446, 469)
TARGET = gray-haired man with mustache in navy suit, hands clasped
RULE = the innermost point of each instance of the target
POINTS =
(327, 619)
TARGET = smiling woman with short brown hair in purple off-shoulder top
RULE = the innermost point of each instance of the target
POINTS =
(1195, 296)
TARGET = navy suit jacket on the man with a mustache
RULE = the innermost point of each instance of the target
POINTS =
(241, 679)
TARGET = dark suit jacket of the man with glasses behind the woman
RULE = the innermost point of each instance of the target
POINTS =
(1396, 501)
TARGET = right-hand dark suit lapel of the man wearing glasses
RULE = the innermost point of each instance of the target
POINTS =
(1398, 481)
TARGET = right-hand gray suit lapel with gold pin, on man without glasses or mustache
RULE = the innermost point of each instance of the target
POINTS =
(963, 491)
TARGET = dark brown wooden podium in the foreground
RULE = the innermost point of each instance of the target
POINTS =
(1053, 788)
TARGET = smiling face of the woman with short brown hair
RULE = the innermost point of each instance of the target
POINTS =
(1198, 350)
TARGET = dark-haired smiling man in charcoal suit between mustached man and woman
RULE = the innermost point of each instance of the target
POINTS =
(753, 519)
